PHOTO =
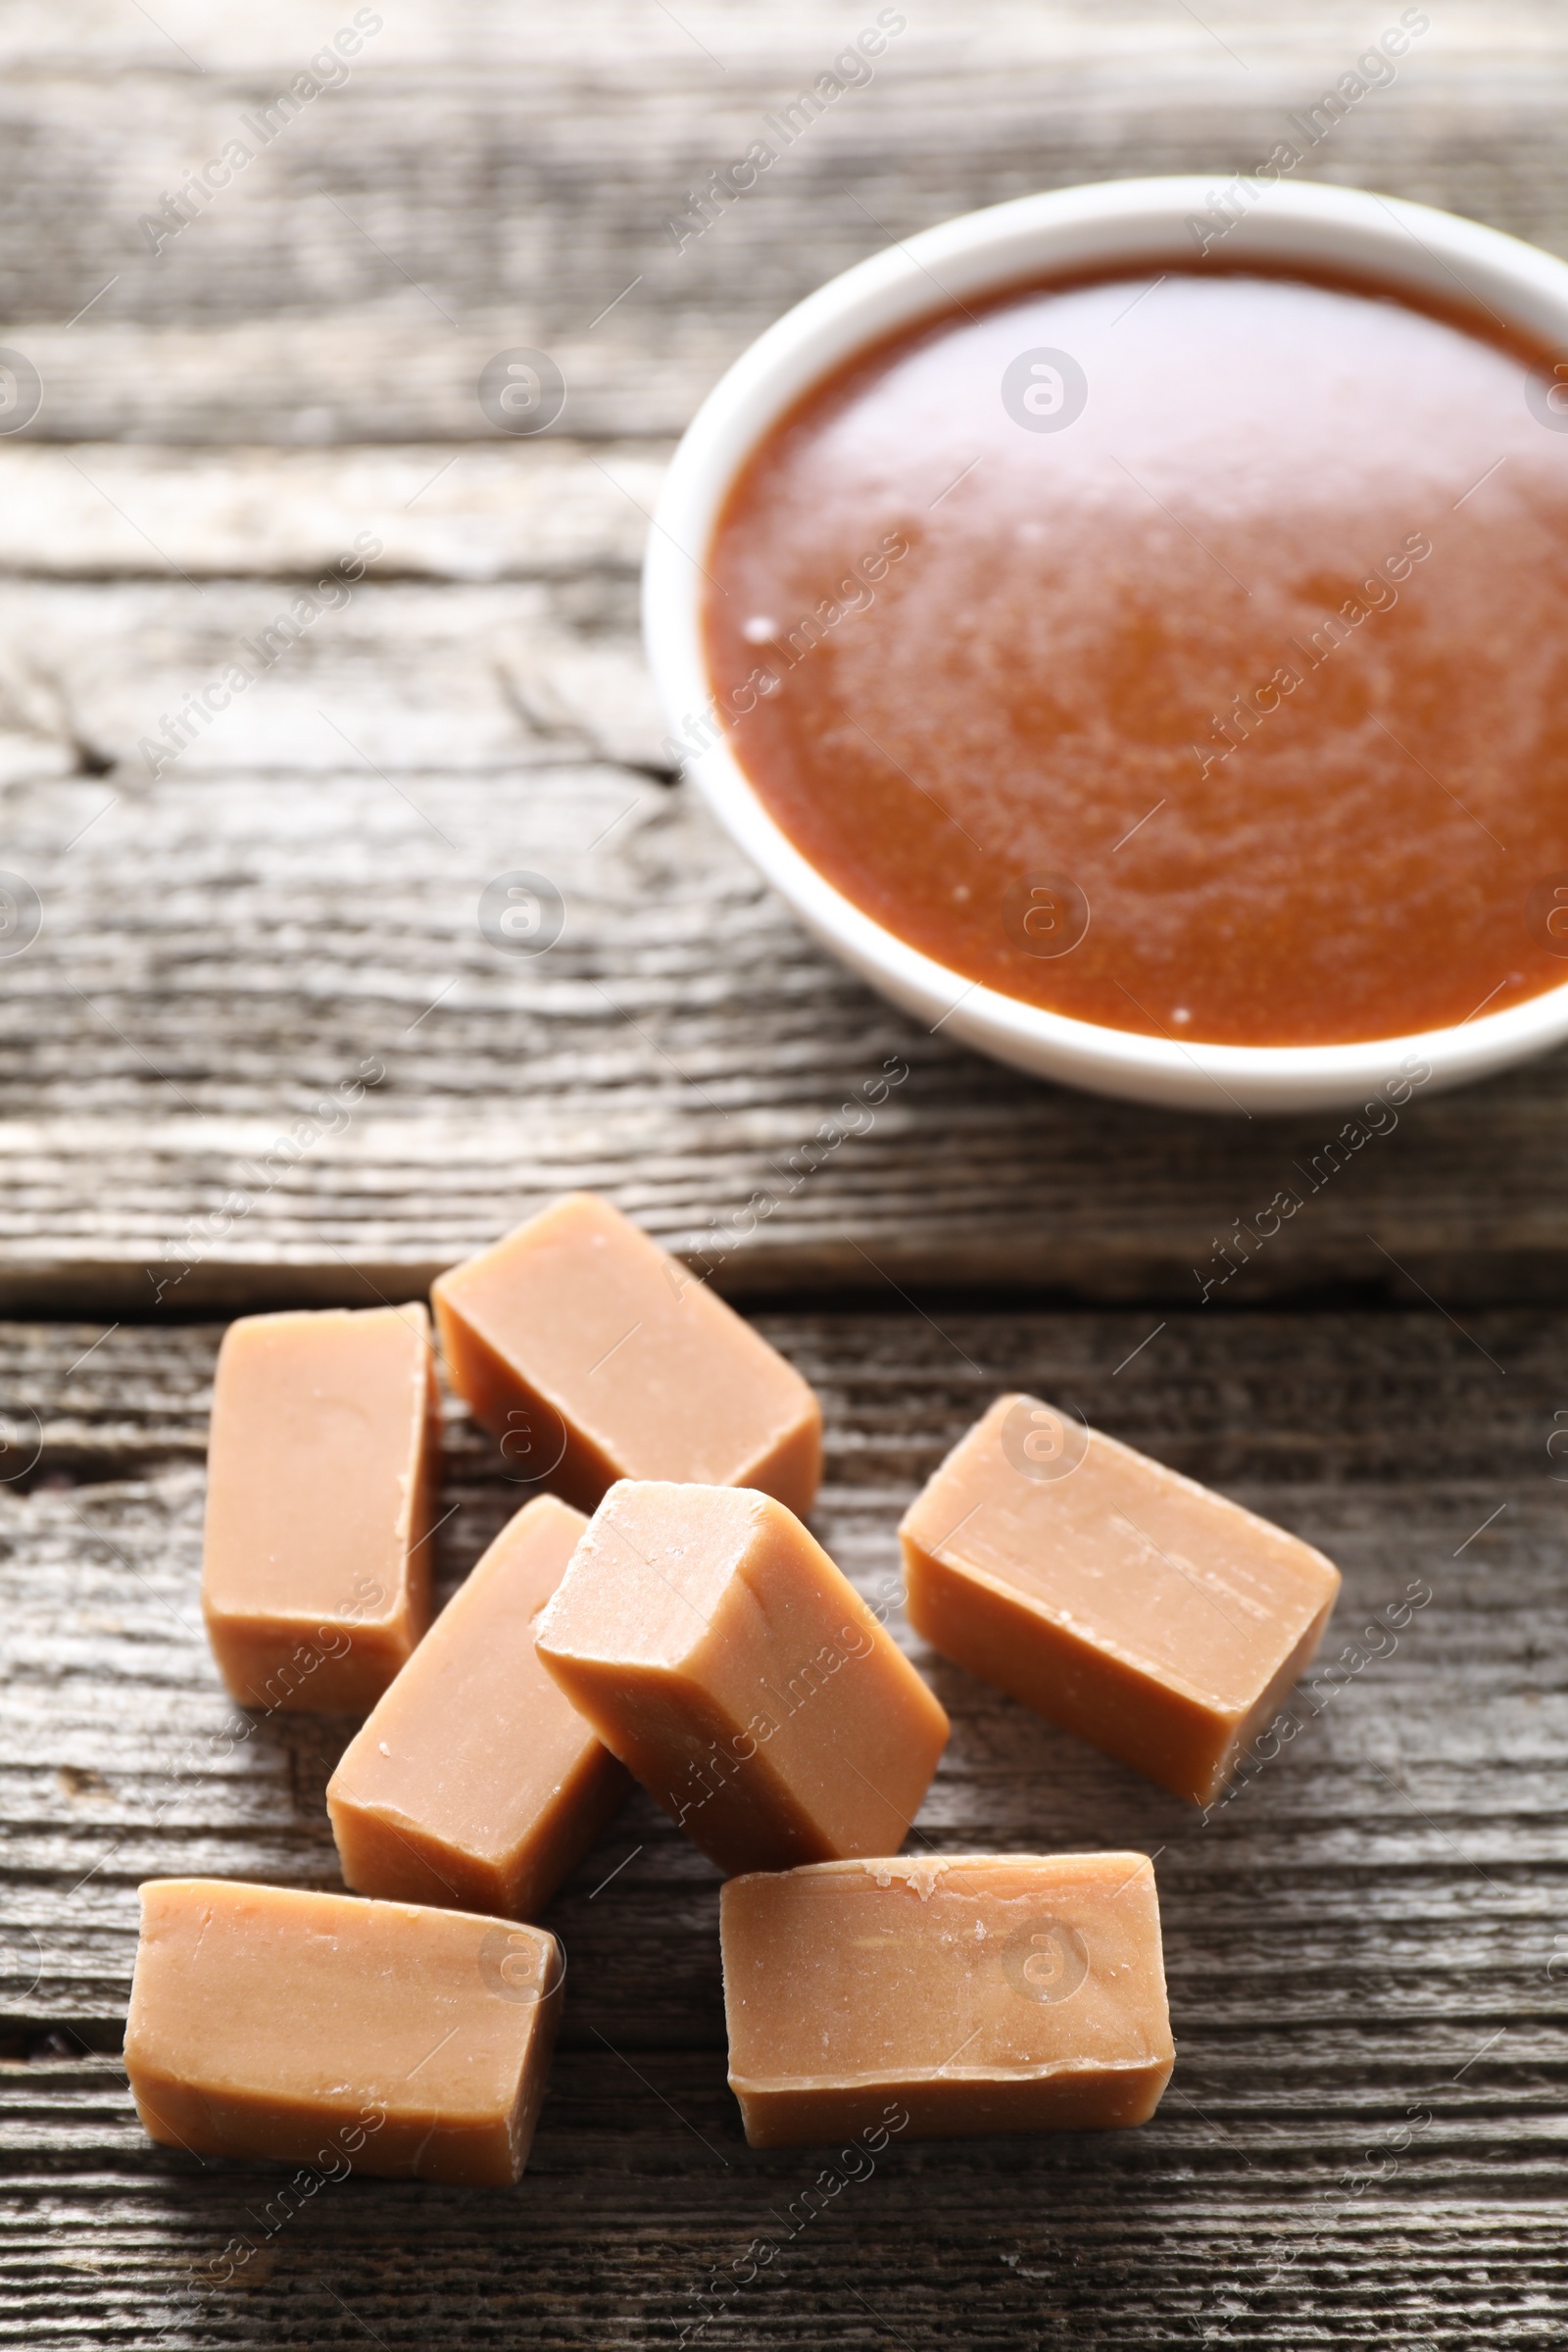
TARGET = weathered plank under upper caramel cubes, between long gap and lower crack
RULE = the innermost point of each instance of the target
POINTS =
(105, 1530)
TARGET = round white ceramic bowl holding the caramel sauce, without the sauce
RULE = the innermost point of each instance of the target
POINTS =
(1111, 225)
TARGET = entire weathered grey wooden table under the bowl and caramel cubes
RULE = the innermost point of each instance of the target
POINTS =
(1367, 2134)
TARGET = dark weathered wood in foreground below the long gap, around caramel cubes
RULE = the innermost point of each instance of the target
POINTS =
(1365, 1946)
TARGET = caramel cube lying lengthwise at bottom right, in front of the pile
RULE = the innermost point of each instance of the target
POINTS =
(949, 1996)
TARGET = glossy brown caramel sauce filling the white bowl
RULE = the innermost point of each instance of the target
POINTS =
(1186, 655)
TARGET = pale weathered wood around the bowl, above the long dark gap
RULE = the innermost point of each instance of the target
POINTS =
(210, 963)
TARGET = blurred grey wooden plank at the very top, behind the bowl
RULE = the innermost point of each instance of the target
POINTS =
(502, 187)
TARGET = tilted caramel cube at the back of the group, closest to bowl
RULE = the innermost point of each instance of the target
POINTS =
(591, 1356)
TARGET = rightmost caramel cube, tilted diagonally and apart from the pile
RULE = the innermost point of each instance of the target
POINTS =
(1115, 1596)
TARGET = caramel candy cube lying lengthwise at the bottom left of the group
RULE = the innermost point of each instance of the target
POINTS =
(337, 2033)
